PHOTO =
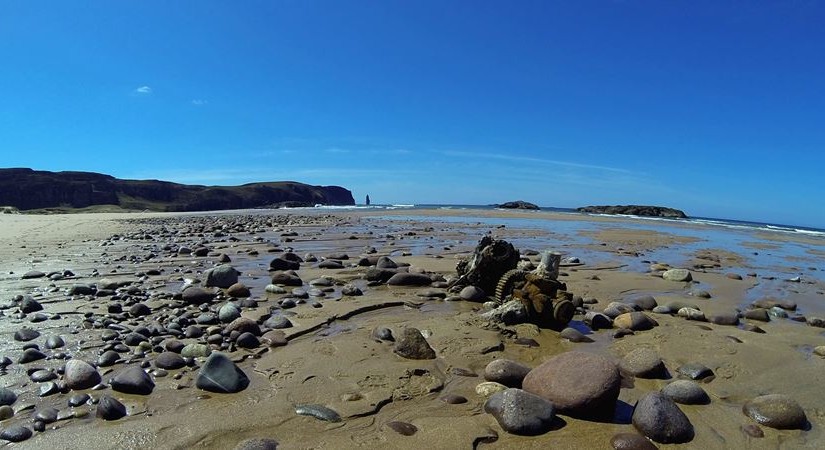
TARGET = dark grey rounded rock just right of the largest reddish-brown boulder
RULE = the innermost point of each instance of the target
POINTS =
(659, 418)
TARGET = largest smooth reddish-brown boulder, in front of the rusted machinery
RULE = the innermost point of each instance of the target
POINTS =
(578, 384)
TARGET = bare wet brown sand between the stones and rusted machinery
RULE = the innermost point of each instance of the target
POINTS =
(338, 364)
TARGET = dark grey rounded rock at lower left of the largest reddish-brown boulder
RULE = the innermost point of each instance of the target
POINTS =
(520, 412)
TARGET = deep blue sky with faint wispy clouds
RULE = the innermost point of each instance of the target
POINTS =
(713, 107)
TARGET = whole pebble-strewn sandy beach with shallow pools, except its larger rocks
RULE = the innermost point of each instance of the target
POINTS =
(330, 355)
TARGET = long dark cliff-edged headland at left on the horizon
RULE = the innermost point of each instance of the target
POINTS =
(28, 189)
